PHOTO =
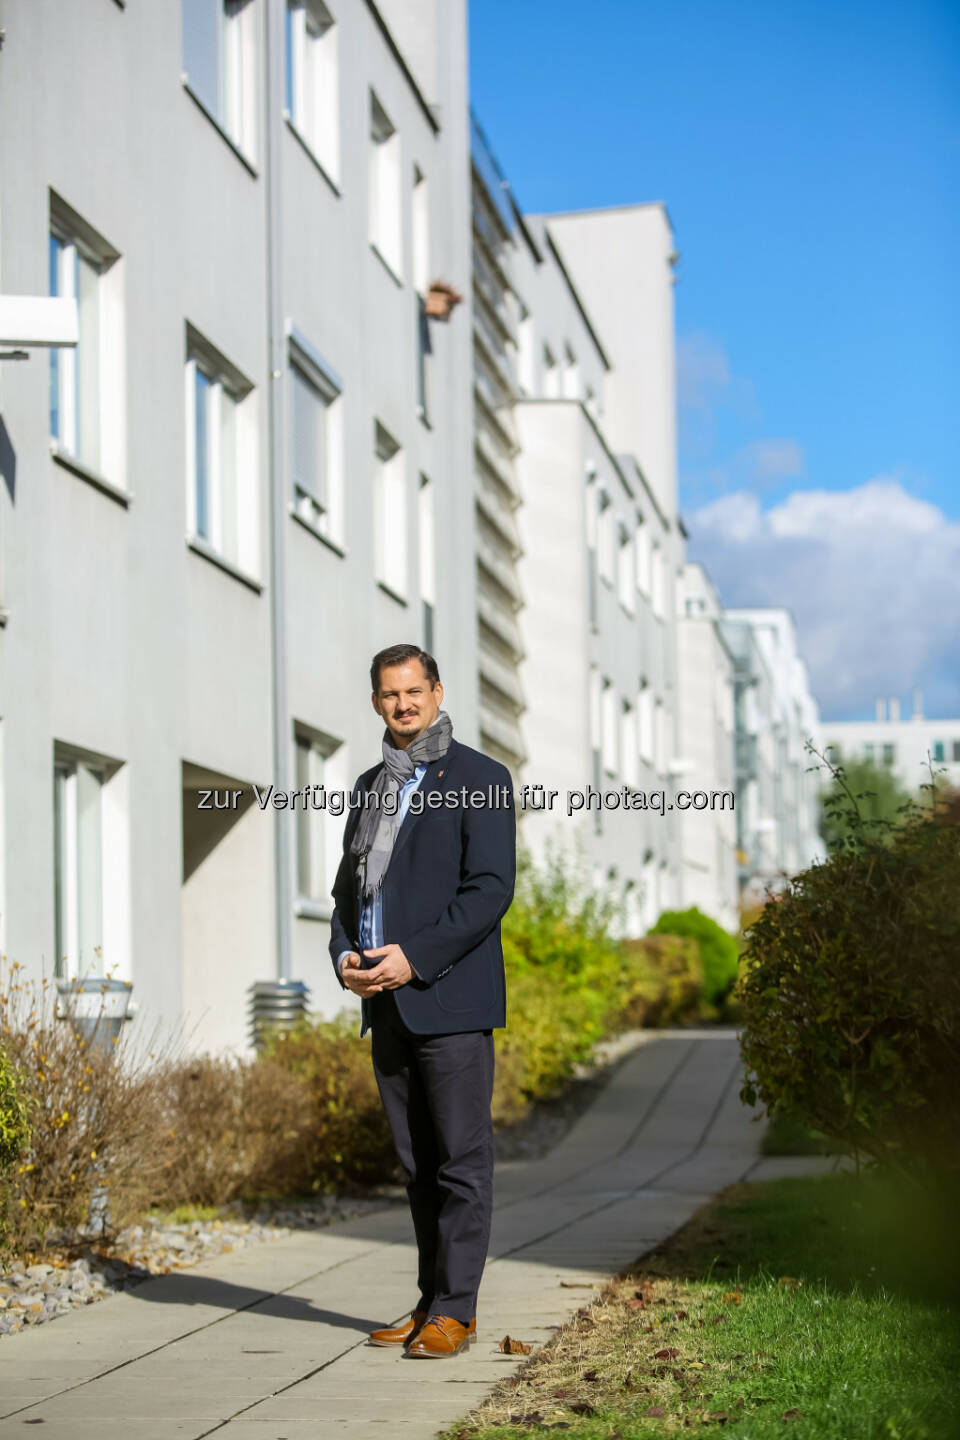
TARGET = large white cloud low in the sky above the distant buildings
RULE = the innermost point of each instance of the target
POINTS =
(870, 575)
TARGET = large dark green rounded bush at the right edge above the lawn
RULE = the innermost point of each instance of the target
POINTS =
(851, 996)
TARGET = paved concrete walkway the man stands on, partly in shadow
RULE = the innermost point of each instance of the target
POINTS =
(270, 1344)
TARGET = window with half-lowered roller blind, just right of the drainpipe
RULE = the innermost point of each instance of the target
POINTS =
(316, 443)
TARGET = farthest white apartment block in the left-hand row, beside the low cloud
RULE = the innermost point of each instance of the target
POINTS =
(778, 784)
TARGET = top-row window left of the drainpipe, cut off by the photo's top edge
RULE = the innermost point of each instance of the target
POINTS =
(219, 61)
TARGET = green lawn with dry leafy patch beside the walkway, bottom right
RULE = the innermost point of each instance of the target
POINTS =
(817, 1310)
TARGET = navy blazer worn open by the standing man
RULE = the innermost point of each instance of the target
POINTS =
(447, 889)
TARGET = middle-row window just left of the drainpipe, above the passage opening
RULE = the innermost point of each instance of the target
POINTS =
(222, 500)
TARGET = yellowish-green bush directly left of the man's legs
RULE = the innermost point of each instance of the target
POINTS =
(348, 1140)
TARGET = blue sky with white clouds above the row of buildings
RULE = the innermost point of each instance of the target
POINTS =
(810, 156)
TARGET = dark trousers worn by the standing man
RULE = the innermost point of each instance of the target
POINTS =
(437, 1092)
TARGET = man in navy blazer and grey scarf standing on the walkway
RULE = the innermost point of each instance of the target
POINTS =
(427, 876)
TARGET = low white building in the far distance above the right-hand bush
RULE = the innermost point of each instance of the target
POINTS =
(909, 748)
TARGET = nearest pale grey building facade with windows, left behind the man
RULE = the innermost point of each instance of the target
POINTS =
(238, 487)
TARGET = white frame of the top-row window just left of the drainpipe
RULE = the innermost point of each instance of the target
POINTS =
(235, 63)
